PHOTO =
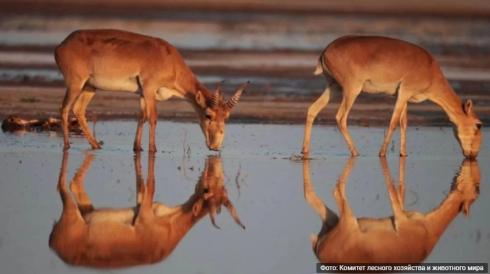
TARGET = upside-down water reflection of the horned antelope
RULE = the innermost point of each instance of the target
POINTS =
(145, 234)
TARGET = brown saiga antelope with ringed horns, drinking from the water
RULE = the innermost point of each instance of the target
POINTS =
(116, 60)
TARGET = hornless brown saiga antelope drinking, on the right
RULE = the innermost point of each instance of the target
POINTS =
(374, 64)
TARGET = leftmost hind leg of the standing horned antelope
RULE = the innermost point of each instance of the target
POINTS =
(74, 87)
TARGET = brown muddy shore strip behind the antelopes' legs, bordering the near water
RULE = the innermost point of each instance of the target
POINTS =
(37, 102)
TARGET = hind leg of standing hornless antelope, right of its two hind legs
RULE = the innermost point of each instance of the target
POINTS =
(350, 94)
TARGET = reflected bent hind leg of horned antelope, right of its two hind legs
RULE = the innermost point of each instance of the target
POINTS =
(77, 186)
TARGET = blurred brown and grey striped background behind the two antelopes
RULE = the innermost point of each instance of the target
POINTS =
(273, 43)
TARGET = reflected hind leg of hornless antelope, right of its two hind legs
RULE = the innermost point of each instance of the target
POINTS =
(347, 218)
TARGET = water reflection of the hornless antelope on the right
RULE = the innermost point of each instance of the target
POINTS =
(406, 237)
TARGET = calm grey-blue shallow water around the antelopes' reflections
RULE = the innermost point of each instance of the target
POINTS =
(270, 199)
